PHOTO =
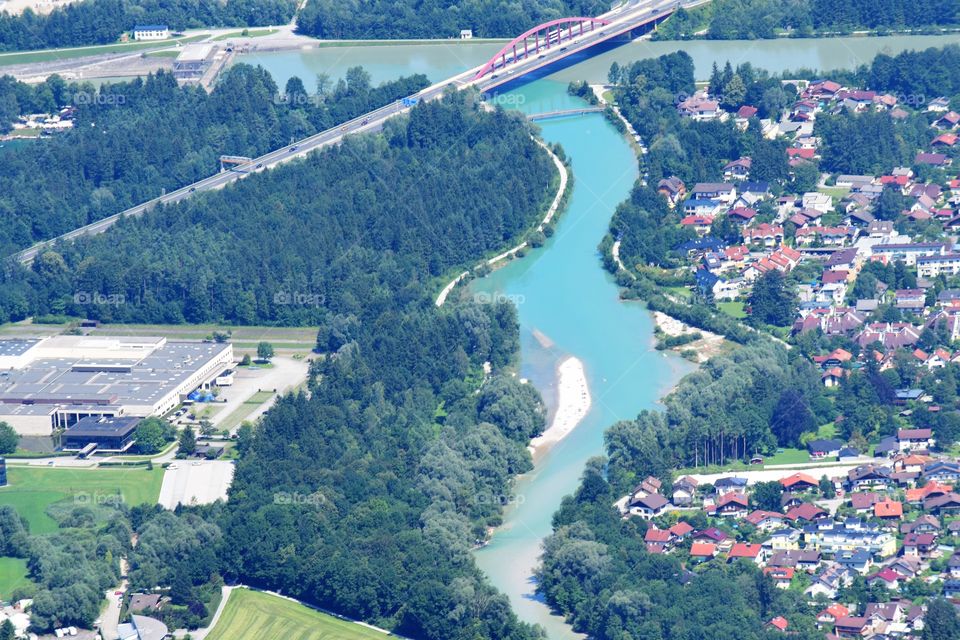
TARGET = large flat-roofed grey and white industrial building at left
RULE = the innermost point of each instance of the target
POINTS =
(55, 382)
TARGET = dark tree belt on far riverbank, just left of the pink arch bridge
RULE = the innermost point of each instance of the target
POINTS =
(360, 19)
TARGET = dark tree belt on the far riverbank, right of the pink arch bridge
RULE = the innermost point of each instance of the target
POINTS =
(758, 19)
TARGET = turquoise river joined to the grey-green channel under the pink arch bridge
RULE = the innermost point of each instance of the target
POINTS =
(560, 290)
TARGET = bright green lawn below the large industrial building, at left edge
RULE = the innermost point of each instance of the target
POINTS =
(33, 489)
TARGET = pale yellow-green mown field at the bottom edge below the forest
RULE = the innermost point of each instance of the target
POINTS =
(252, 615)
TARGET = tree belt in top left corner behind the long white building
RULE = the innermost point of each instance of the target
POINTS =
(102, 21)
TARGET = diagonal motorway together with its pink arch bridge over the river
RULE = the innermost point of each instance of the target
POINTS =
(543, 46)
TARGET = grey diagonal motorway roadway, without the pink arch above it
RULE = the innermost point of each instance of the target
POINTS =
(623, 19)
